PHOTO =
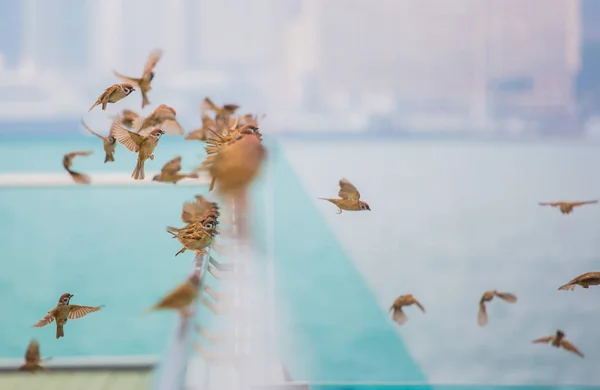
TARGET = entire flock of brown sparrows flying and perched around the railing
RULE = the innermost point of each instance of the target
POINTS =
(234, 157)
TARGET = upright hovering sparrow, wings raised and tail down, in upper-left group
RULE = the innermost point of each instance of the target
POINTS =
(143, 145)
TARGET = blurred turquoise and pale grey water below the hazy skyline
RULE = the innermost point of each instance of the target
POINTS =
(449, 220)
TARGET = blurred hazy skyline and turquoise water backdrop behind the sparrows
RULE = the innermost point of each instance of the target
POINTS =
(453, 119)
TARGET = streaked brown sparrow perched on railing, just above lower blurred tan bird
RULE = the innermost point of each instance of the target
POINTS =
(199, 234)
